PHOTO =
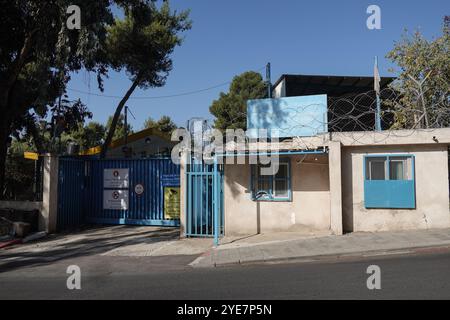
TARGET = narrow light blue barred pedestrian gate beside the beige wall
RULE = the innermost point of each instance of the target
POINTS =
(204, 199)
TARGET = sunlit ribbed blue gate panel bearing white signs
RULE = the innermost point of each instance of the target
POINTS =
(146, 205)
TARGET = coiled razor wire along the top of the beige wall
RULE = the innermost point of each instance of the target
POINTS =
(422, 108)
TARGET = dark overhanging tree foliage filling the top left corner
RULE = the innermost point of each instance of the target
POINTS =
(38, 53)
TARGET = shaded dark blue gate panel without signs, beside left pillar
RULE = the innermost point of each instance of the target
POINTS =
(70, 193)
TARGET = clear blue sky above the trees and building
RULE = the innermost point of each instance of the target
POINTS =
(232, 36)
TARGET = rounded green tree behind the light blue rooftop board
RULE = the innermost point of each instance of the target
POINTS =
(230, 110)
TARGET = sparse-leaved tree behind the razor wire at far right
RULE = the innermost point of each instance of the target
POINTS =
(423, 80)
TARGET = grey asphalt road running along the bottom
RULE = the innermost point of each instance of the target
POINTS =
(425, 276)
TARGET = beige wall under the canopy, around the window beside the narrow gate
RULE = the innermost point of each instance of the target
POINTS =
(310, 205)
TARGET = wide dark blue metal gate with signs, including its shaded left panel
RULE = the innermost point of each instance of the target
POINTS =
(118, 191)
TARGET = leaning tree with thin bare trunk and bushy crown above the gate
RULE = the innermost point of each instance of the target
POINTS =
(142, 44)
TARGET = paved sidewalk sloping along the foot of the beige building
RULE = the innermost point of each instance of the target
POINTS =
(313, 248)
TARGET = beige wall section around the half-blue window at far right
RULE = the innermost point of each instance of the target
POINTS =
(432, 190)
